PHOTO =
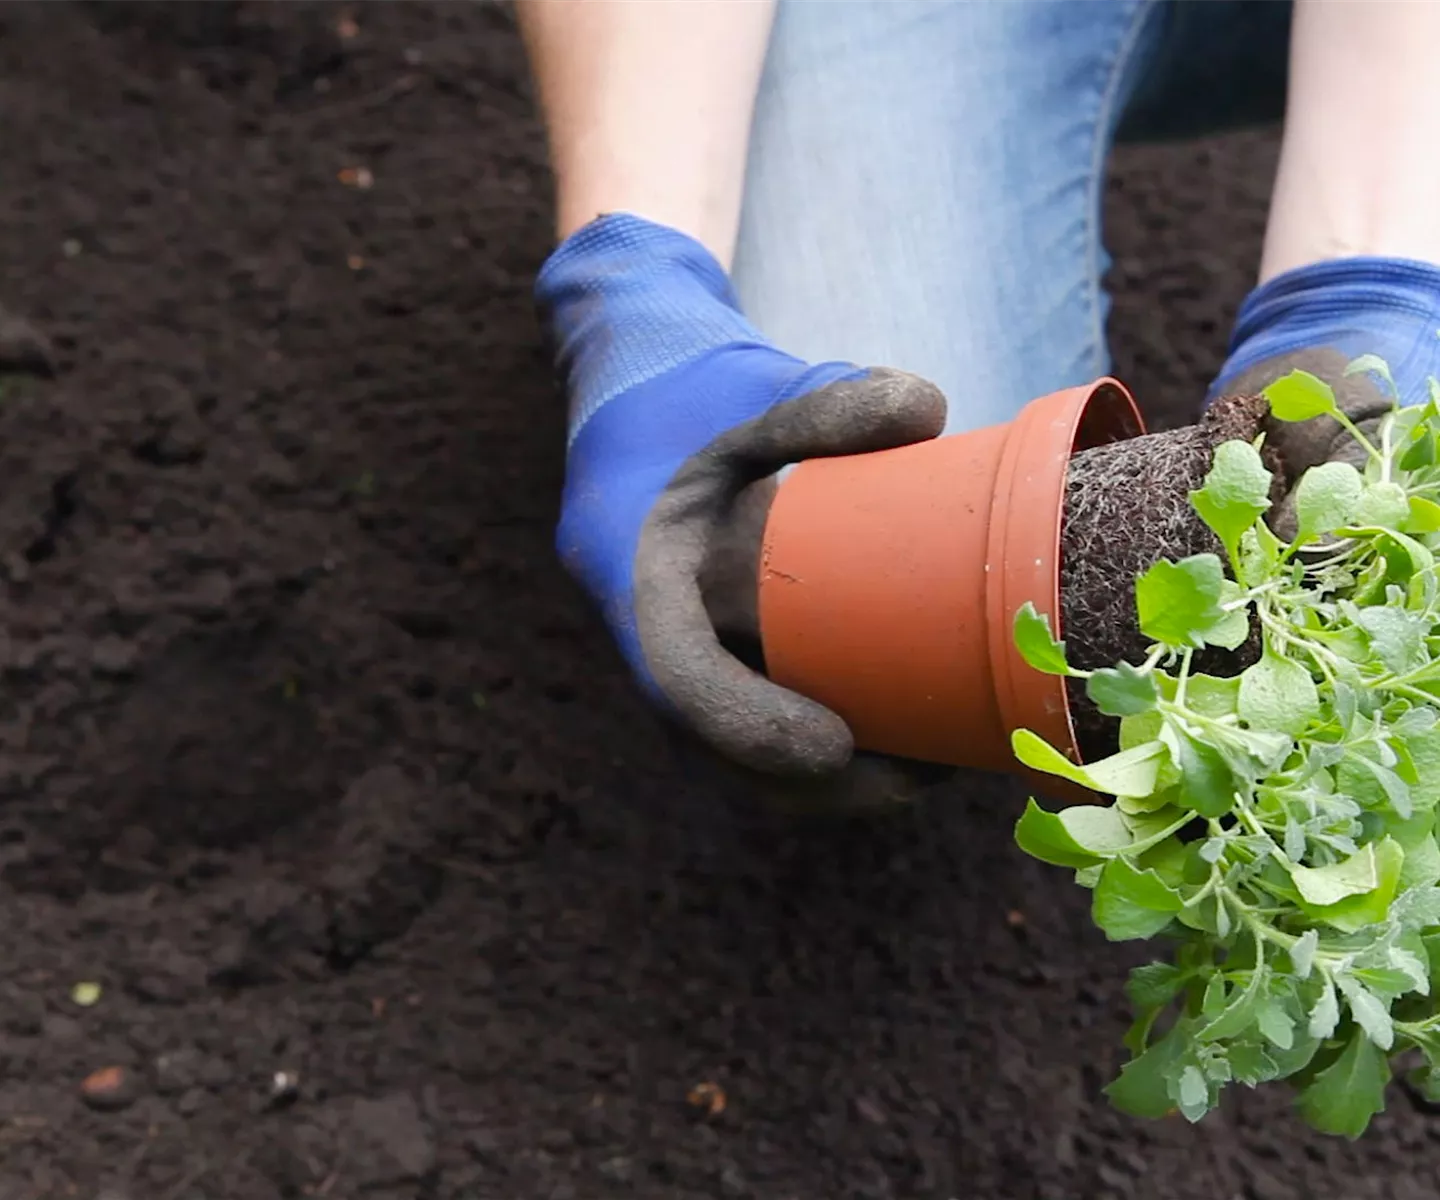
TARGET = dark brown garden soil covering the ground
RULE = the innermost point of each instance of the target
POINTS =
(318, 764)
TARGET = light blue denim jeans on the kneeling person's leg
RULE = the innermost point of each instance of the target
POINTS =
(927, 176)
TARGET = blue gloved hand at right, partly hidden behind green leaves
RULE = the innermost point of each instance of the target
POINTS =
(1320, 319)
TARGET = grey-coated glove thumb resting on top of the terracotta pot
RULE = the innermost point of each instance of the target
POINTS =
(881, 411)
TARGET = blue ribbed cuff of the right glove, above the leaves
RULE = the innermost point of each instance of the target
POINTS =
(1357, 306)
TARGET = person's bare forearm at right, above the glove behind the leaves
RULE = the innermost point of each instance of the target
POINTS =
(1360, 165)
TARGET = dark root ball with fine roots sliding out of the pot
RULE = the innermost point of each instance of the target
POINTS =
(1128, 508)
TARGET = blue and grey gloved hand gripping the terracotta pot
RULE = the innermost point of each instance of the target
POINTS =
(679, 407)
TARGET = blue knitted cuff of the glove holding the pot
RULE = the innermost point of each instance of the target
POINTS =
(627, 300)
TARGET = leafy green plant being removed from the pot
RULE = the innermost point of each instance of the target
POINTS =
(1279, 826)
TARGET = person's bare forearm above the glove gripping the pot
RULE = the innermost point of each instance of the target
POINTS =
(647, 106)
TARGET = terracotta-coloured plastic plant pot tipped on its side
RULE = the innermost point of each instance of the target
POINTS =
(889, 583)
